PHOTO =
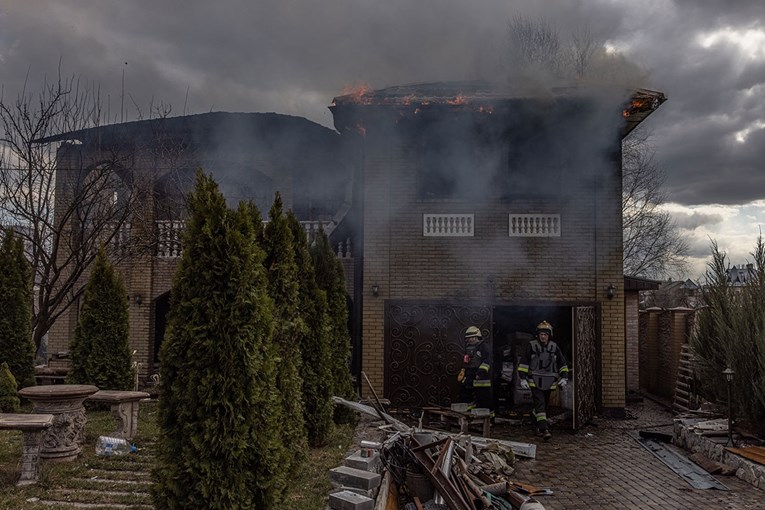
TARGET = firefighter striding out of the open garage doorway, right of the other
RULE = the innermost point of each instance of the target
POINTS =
(542, 369)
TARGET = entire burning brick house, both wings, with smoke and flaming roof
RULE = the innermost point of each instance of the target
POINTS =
(453, 205)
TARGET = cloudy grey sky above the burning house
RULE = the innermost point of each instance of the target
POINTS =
(294, 56)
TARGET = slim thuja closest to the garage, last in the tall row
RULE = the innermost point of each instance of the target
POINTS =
(329, 277)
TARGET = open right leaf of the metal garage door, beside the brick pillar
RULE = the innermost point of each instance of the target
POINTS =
(584, 364)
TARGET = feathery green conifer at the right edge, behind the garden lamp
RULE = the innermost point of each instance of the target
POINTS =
(731, 334)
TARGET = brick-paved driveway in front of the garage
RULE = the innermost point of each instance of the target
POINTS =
(601, 467)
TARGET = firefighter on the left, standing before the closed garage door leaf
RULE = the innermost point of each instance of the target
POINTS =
(475, 376)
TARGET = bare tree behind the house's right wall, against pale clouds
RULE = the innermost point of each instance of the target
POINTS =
(653, 246)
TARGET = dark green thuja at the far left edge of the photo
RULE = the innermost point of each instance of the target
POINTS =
(17, 348)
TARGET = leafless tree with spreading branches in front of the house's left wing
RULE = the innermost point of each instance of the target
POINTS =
(63, 204)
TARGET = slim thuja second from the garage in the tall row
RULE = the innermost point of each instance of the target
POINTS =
(313, 340)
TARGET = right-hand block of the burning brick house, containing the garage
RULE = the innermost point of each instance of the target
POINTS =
(485, 207)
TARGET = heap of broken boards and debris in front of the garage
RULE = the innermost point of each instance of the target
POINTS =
(434, 470)
